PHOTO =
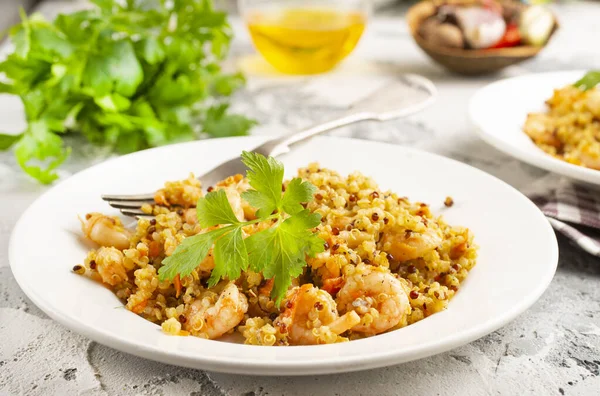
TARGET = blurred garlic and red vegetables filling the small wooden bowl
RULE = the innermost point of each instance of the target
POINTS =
(487, 25)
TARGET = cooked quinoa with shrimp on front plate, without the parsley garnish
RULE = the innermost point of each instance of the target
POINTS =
(388, 263)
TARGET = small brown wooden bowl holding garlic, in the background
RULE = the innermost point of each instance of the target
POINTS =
(467, 61)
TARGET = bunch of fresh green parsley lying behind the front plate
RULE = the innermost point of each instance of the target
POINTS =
(130, 74)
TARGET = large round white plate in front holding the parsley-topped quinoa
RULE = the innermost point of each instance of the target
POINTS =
(517, 258)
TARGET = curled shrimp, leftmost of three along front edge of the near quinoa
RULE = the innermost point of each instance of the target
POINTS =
(212, 320)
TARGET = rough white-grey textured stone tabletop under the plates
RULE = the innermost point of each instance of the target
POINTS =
(552, 349)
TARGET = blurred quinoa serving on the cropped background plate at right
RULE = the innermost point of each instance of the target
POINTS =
(570, 129)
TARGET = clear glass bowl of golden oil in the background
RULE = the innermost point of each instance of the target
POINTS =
(305, 36)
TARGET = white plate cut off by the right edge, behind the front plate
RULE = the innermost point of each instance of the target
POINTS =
(499, 110)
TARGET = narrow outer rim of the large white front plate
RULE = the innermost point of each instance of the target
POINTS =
(323, 365)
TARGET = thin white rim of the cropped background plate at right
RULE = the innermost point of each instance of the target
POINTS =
(544, 161)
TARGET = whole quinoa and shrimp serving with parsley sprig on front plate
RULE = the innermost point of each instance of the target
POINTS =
(317, 259)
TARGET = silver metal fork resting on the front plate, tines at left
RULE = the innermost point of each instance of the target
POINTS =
(382, 104)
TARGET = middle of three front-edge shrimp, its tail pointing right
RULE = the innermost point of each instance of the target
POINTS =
(310, 317)
